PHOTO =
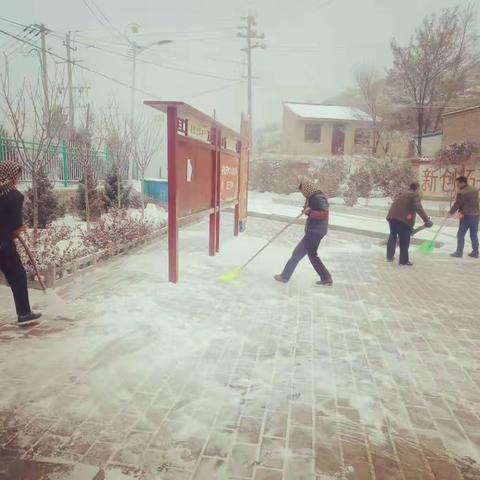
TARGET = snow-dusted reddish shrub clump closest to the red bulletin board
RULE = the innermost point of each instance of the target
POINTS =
(116, 228)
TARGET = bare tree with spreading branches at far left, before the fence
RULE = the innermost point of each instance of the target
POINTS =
(30, 116)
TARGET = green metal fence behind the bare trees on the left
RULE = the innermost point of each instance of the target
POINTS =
(64, 162)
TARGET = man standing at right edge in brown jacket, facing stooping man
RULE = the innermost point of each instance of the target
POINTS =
(467, 206)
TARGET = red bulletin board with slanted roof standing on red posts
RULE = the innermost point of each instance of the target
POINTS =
(203, 173)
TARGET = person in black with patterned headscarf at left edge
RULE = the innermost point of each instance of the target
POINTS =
(11, 226)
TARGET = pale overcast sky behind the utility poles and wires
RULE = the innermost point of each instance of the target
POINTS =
(313, 47)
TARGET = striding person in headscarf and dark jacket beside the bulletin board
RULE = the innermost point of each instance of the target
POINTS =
(316, 209)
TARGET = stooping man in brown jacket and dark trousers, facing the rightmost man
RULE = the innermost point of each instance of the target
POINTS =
(401, 219)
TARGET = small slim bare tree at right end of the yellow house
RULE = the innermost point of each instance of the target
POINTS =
(370, 85)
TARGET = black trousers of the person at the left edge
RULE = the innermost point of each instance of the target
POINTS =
(12, 268)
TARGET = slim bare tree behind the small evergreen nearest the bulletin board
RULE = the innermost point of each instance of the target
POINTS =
(119, 141)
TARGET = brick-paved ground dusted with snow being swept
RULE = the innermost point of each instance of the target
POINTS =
(375, 378)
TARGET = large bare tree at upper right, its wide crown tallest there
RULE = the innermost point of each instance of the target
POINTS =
(432, 70)
